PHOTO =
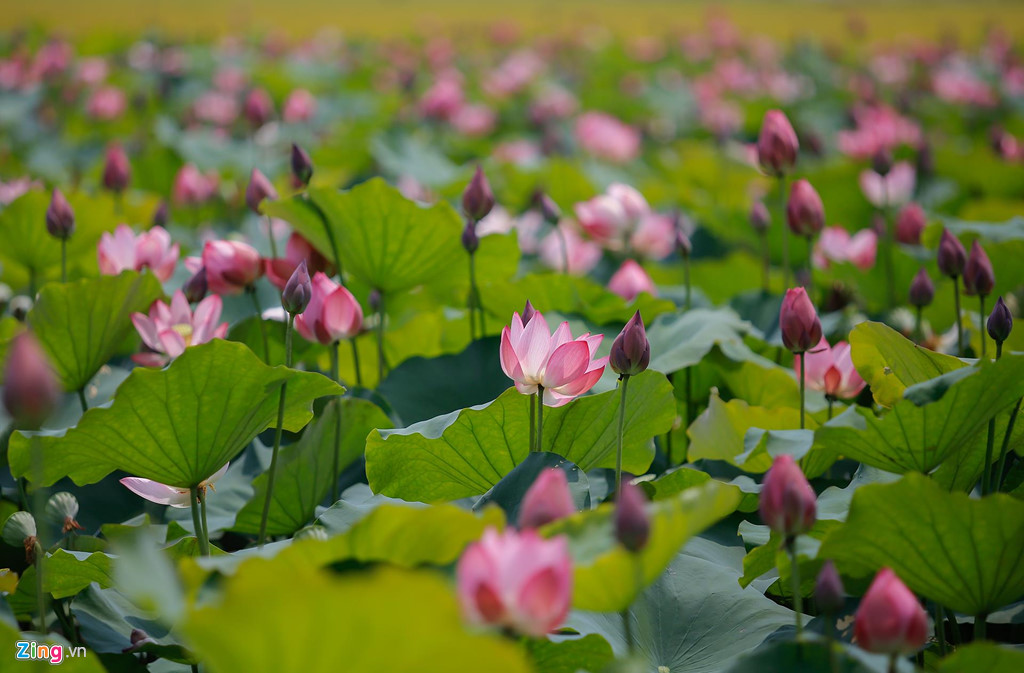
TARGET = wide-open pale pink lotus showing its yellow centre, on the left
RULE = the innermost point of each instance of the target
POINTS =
(169, 330)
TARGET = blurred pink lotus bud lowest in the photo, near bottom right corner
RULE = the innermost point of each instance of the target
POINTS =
(890, 621)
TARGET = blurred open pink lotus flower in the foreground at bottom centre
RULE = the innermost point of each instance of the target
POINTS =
(517, 580)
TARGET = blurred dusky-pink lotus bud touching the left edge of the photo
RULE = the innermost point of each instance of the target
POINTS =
(31, 390)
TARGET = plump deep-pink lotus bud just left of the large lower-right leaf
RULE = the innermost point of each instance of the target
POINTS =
(788, 503)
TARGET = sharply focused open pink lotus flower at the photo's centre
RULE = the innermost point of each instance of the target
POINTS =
(533, 357)
